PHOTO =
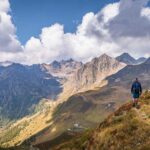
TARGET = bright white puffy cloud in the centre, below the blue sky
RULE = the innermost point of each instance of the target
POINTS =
(90, 40)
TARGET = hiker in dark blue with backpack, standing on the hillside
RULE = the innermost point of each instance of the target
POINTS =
(136, 91)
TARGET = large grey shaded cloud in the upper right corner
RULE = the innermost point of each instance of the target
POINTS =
(131, 27)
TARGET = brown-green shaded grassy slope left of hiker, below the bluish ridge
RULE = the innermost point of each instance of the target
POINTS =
(88, 108)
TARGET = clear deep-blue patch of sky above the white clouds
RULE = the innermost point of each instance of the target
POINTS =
(30, 16)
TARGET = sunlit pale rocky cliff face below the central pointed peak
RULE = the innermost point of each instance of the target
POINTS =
(95, 71)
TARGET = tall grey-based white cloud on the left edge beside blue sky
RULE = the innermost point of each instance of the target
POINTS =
(8, 39)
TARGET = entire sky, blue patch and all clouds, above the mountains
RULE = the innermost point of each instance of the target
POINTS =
(40, 31)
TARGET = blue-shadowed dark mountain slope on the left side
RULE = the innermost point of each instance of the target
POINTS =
(22, 87)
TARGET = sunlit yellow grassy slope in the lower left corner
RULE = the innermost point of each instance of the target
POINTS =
(25, 128)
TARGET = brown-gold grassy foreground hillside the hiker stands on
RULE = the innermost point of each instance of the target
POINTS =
(127, 128)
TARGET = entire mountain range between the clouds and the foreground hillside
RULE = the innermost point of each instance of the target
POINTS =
(76, 93)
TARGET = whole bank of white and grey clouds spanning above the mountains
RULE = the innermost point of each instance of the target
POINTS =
(118, 27)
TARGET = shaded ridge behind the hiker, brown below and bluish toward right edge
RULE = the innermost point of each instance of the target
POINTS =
(90, 107)
